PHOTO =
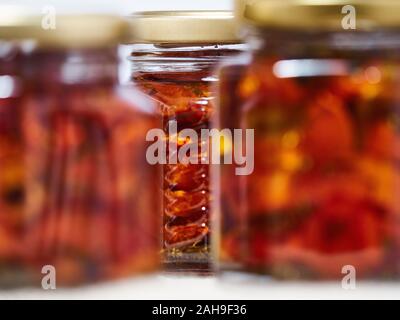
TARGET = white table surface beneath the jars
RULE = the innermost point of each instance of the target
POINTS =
(232, 286)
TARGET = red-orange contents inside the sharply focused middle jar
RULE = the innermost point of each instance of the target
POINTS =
(186, 99)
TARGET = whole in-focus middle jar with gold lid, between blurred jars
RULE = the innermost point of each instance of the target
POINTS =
(174, 58)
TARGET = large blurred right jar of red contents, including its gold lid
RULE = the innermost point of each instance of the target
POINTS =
(324, 103)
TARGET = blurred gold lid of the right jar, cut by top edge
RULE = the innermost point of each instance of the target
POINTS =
(319, 14)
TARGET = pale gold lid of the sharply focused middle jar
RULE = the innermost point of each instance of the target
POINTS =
(176, 27)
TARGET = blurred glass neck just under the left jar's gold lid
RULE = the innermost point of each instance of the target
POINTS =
(72, 67)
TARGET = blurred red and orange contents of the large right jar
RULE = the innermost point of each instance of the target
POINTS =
(323, 192)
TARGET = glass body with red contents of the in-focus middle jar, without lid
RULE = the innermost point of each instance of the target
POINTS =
(185, 96)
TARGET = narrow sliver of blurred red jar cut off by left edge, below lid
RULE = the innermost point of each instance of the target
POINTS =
(11, 153)
